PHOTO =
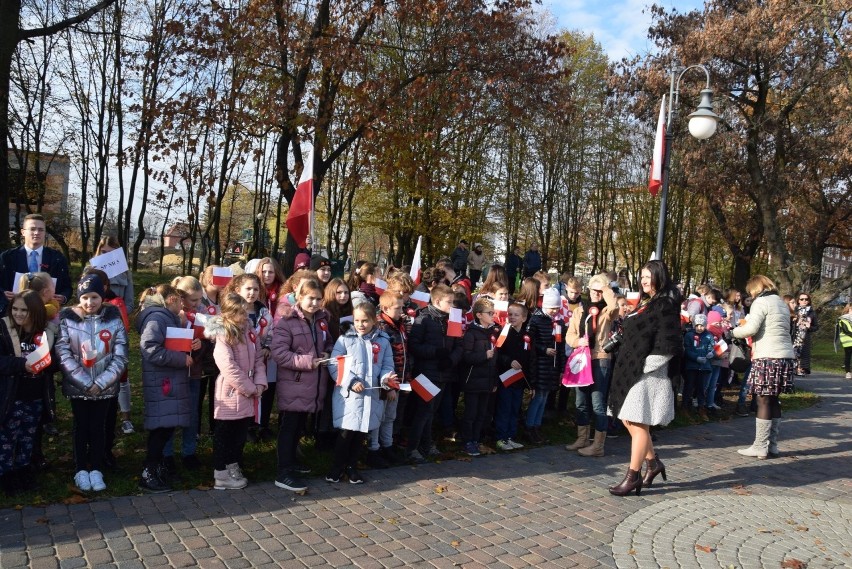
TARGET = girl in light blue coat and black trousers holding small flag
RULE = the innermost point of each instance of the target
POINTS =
(362, 362)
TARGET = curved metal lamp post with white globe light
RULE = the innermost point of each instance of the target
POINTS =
(702, 125)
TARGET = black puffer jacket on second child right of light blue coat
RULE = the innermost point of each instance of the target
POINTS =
(435, 354)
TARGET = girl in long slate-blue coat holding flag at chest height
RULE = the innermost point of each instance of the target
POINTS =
(165, 380)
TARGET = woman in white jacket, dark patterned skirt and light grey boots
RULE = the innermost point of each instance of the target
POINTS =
(773, 362)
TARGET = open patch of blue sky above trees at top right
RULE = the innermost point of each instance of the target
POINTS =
(620, 26)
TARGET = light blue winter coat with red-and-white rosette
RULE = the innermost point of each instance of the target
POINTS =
(360, 411)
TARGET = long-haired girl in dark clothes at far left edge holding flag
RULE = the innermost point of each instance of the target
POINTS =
(24, 391)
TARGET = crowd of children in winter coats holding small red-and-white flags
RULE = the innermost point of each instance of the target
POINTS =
(378, 359)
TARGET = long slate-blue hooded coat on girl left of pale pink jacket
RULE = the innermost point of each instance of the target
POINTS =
(165, 377)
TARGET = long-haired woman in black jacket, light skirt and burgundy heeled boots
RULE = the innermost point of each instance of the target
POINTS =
(641, 392)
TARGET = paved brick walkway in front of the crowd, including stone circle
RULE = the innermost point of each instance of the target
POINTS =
(538, 508)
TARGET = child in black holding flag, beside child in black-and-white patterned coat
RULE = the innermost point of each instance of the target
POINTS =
(514, 364)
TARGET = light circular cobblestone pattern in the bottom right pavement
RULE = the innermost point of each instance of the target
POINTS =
(736, 531)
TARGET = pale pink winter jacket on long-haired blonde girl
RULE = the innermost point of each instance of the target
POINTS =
(241, 371)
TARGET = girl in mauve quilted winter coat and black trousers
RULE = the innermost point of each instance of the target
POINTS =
(301, 342)
